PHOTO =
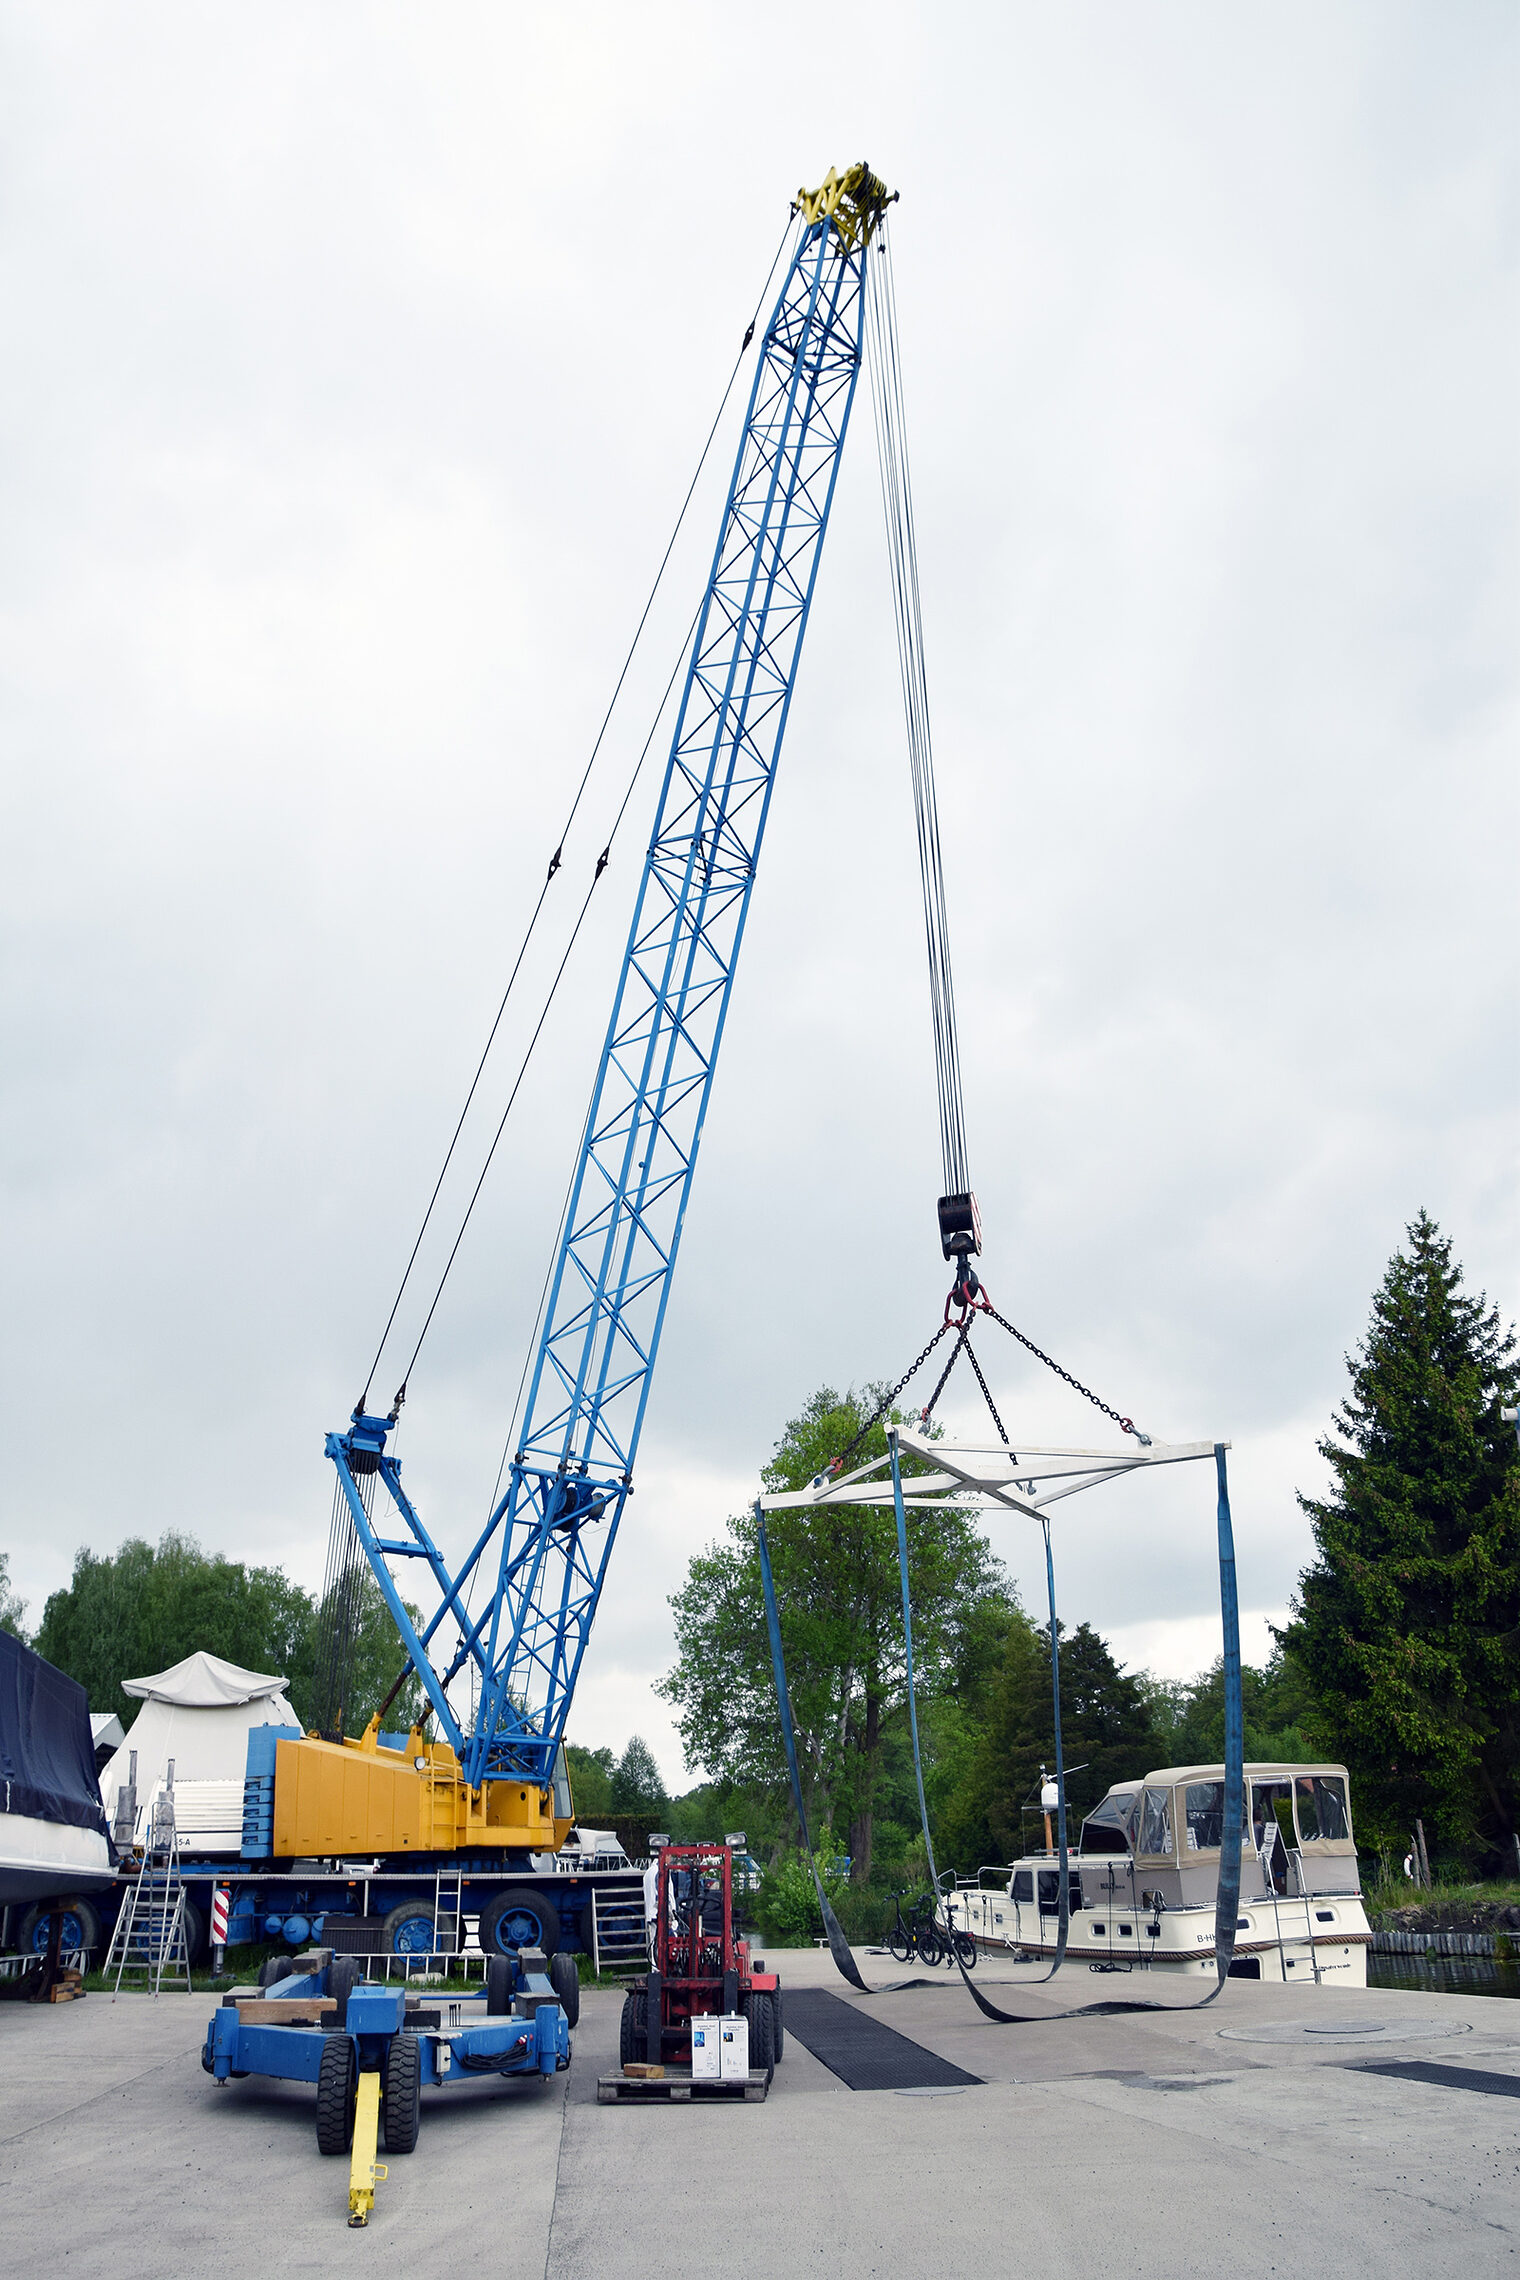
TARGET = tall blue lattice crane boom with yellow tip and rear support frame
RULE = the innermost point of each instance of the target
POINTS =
(544, 1554)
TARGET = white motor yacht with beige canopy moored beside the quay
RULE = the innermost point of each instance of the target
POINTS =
(1145, 1875)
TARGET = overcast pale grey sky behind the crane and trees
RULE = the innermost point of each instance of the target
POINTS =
(357, 364)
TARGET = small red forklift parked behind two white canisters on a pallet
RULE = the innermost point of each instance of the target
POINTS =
(703, 1969)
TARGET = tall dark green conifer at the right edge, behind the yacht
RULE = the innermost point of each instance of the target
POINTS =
(1407, 1627)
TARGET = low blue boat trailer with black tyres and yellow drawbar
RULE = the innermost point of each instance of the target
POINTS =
(373, 2049)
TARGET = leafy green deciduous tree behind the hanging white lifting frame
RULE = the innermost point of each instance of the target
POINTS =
(842, 1629)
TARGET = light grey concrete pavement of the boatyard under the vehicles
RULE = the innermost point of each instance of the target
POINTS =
(1170, 2142)
